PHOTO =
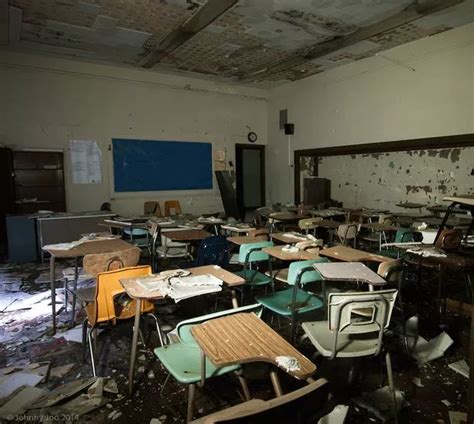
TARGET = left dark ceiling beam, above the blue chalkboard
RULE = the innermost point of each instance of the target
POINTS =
(205, 15)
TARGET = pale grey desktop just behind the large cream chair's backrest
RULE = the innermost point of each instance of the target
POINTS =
(349, 271)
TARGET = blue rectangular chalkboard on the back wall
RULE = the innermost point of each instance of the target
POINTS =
(148, 165)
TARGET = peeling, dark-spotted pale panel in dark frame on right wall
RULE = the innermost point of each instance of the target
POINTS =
(383, 180)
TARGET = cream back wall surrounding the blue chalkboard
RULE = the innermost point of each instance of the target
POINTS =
(45, 102)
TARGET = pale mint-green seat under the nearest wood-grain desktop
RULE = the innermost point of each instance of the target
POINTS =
(184, 363)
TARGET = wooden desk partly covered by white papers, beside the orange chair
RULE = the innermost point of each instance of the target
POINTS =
(135, 291)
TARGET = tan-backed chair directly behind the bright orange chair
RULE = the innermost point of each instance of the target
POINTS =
(95, 263)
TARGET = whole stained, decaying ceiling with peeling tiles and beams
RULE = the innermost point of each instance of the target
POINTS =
(242, 41)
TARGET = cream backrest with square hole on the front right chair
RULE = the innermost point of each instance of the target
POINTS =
(344, 319)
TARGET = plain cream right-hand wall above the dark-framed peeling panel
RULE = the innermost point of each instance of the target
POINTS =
(375, 100)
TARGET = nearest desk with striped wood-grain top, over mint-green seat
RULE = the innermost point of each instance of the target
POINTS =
(245, 338)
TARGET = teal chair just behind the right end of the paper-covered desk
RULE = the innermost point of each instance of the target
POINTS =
(250, 254)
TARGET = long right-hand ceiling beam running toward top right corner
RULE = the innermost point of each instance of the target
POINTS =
(409, 14)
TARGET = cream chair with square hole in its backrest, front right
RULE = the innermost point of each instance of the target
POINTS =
(347, 334)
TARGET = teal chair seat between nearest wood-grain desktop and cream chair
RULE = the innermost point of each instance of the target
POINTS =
(281, 302)
